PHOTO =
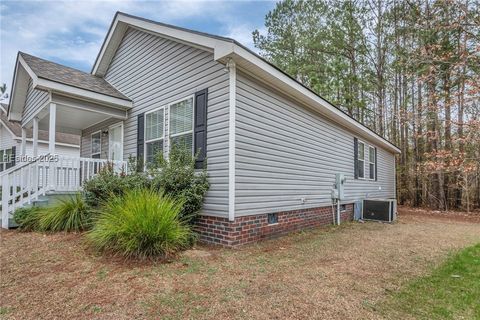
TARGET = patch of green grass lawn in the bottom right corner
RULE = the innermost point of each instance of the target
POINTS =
(451, 291)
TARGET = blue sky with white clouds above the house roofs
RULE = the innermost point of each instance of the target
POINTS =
(71, 32)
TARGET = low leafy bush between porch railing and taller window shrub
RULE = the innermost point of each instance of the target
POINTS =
(109, 183)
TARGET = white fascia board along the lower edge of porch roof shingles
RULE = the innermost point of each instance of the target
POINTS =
(55, 86)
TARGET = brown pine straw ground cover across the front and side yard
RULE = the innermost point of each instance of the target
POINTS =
(333, 273)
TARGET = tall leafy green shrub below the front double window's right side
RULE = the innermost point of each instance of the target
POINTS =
(178, 178)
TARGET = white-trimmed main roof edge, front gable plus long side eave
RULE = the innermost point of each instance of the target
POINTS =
(225, 49)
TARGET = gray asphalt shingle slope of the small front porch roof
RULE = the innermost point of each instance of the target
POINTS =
(62, 74)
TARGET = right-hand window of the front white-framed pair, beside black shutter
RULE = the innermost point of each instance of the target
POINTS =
(181, 123)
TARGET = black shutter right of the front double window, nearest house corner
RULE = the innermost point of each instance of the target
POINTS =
(200, 128)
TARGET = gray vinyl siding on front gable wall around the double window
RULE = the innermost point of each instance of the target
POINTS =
(153, 72)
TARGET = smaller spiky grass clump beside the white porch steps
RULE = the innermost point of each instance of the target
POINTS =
(72, 214)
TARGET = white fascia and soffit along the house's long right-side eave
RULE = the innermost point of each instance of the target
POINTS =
(304, 94)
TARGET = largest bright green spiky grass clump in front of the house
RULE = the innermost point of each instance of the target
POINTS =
(140, 224)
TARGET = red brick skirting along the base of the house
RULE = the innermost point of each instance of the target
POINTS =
(246, 229)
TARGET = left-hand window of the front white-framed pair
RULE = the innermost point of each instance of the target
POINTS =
(154, 133)
